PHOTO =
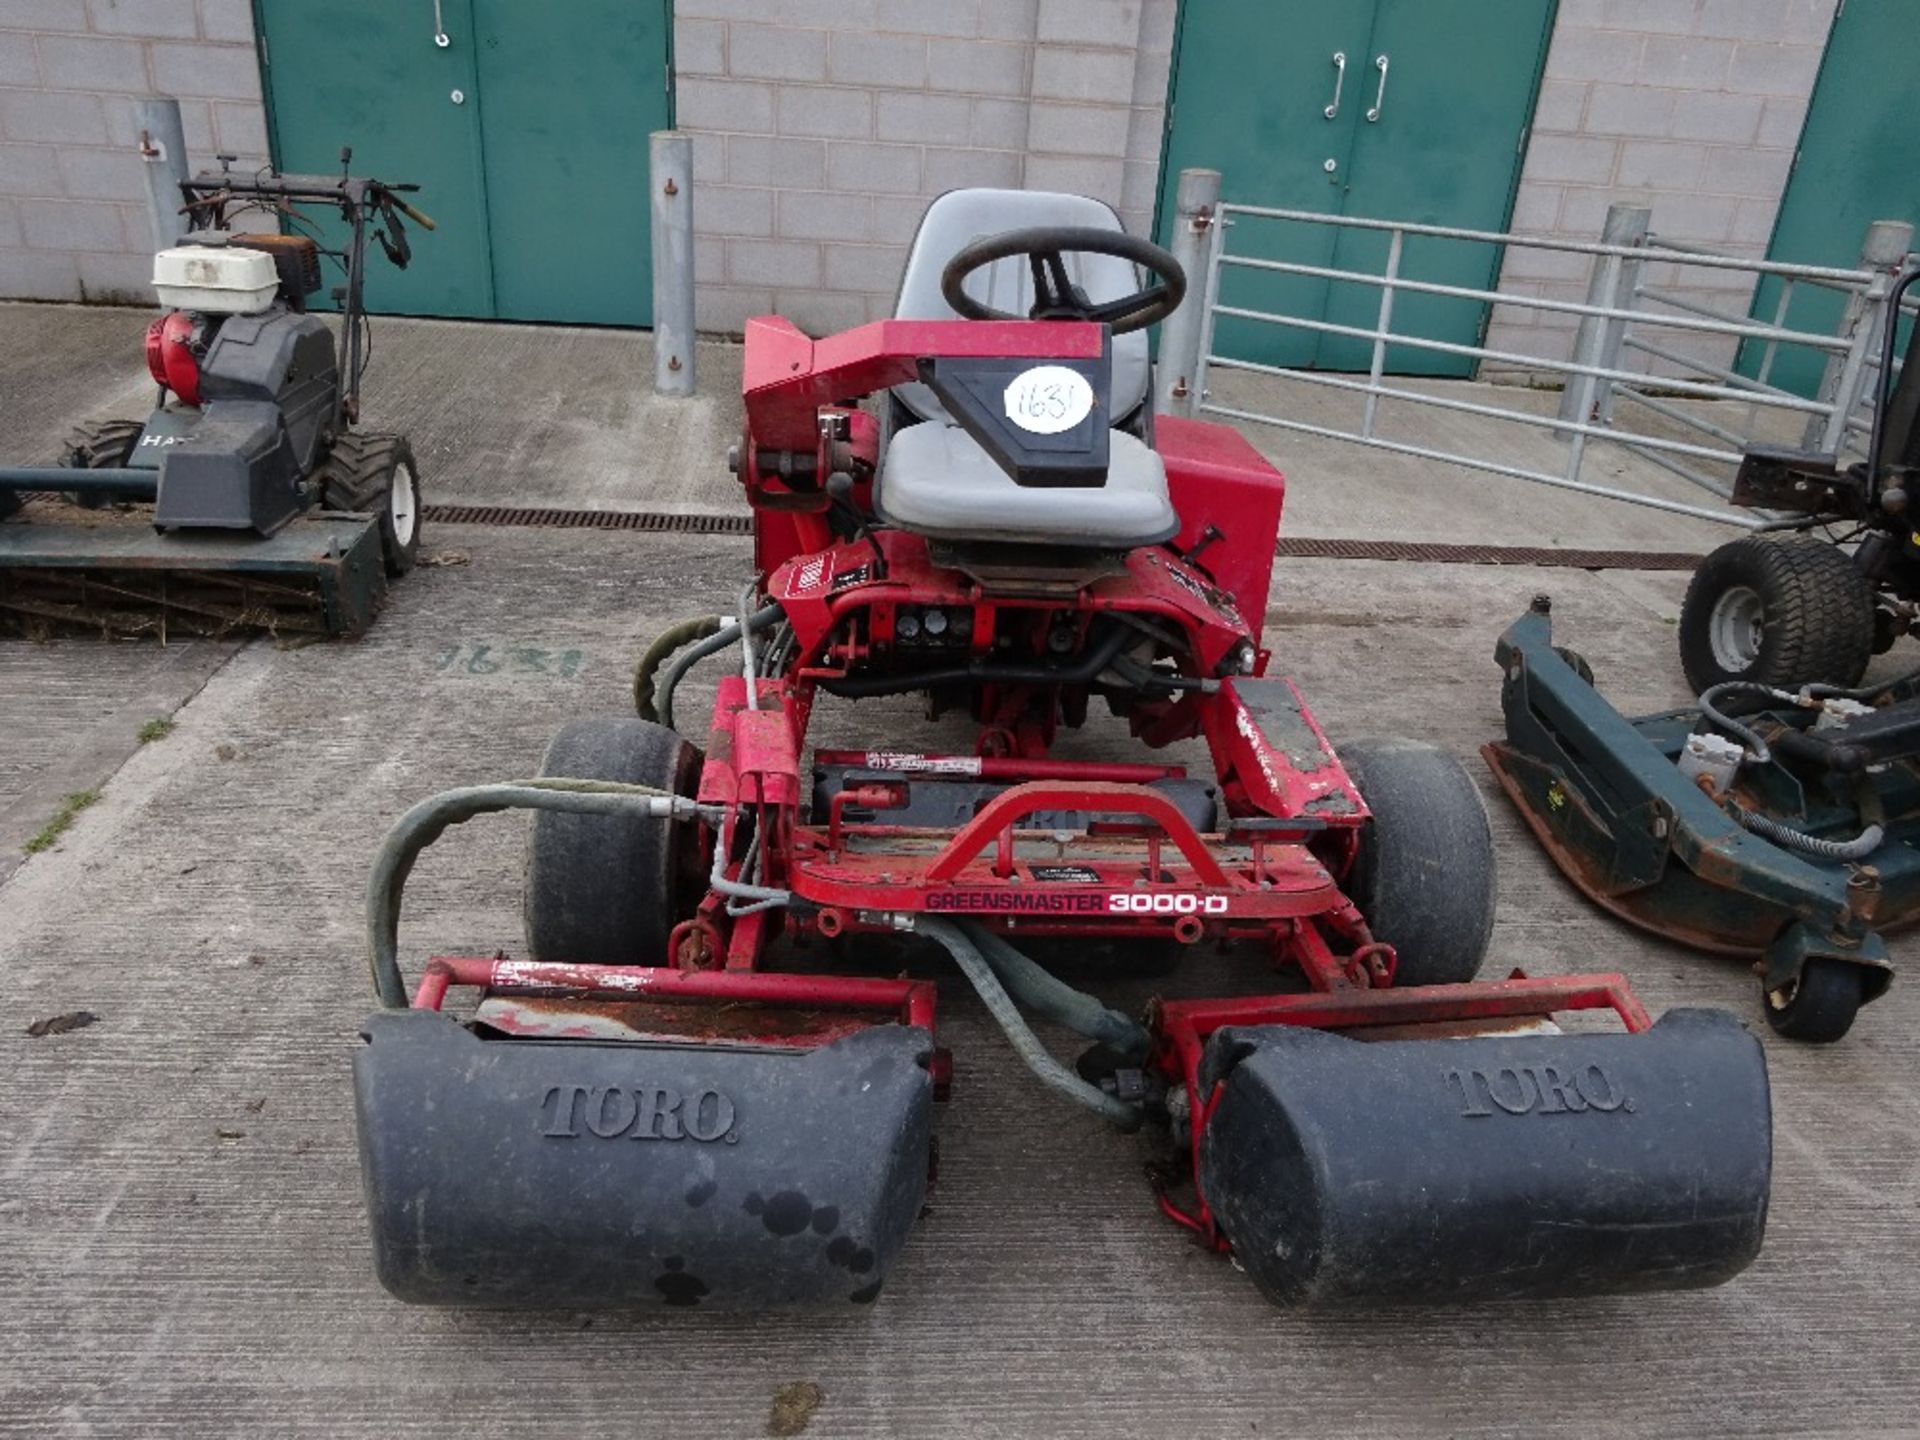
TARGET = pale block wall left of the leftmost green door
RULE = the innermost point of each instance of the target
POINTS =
(72, 191)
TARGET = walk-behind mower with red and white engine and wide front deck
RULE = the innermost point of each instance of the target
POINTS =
(254, 427)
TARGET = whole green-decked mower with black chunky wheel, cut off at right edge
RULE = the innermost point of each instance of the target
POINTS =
(1777, 817)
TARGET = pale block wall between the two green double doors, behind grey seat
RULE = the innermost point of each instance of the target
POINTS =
(823, 128)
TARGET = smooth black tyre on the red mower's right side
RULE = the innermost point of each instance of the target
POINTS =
(1424, 875)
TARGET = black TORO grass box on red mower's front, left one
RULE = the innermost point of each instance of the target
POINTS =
(581, 1174)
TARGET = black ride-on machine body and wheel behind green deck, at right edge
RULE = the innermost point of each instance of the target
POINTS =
(1788, 608)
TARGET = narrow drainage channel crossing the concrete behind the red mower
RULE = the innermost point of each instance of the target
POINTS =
(1307, 548)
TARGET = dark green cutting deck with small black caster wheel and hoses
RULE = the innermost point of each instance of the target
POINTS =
(1760, 823)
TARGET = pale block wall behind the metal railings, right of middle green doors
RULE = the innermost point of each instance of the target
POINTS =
(1689, 107)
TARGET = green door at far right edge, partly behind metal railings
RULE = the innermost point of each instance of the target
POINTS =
(1856, 166)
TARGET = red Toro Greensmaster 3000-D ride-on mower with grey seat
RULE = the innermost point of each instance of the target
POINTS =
(660, 1107)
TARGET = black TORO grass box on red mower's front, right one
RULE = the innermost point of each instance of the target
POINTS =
(1489, 1168)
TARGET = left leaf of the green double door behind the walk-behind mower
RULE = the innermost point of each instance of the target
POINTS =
(370, 76)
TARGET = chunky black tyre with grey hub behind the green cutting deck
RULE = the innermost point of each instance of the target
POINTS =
(1777, 610)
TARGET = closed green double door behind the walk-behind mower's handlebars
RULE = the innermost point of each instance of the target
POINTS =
(525, 124)
